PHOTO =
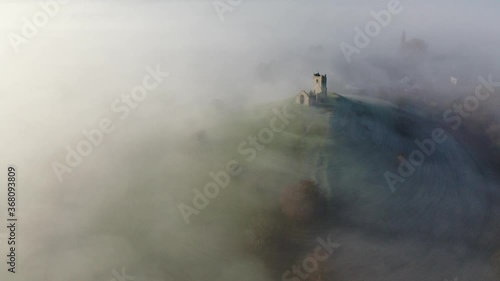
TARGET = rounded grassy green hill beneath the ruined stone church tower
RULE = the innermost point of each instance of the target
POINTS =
(344, 146)
